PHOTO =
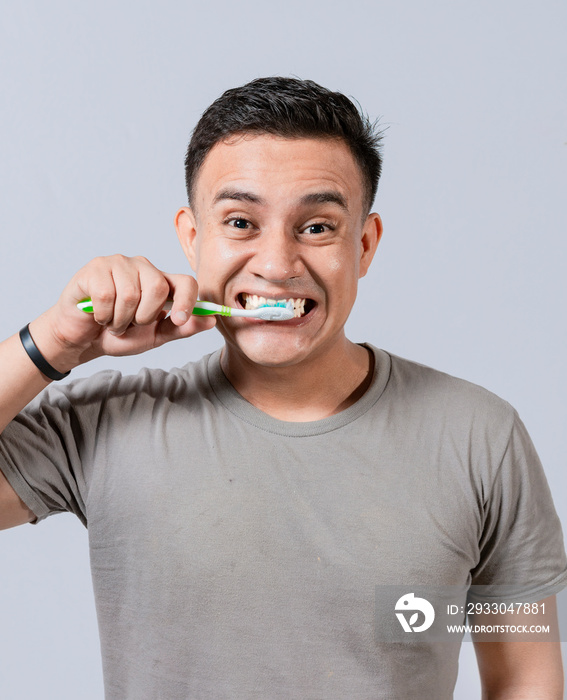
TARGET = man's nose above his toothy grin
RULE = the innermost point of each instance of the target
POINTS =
(277, 256)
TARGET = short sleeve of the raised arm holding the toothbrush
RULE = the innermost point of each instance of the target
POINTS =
(43, 451)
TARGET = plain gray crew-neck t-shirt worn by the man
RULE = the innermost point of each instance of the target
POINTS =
(235, 555)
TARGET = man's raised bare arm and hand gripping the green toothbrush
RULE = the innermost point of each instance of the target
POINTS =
(128, 296)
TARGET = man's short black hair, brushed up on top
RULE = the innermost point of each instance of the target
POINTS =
(291, 108)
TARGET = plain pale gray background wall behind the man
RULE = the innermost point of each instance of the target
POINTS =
(98, 100)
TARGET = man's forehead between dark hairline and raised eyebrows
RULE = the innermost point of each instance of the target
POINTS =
(279, 169)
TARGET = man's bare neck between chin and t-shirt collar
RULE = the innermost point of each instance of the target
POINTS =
(313, 389)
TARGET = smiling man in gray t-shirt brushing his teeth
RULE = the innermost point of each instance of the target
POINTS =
(243, 510)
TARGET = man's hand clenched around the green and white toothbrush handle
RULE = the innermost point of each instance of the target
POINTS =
(128, 295)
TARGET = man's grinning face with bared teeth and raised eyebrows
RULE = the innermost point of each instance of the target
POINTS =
(278, 218)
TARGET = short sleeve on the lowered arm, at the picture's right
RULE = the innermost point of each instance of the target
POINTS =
(521, 549)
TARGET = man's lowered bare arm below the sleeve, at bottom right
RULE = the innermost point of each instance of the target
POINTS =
(520, 670)
